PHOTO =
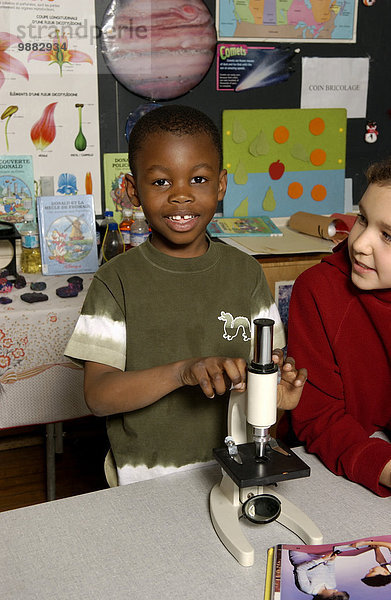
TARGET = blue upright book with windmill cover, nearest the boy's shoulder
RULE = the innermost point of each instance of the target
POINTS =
(67, 234)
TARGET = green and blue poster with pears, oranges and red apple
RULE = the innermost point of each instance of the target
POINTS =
(283, 161)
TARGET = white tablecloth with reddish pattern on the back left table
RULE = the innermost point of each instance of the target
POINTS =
(37, 383)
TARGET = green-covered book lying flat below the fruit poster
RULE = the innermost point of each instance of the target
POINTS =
(242, 226)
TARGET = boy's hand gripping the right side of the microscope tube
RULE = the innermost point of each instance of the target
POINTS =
(292, 381)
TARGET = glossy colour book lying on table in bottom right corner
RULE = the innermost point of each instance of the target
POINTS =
(359, 569)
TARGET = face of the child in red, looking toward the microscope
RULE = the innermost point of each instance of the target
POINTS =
(370, 240)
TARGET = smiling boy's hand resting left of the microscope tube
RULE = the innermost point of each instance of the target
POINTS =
(214, 374)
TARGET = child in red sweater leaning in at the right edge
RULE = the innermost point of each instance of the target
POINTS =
(340, 328)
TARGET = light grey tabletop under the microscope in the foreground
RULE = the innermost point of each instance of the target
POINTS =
(154, 539)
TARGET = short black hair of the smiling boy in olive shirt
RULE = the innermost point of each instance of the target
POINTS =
(176, 119)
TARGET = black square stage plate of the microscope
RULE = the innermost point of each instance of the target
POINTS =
(274, 467)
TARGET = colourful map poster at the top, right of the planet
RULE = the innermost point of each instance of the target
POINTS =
(287, 20)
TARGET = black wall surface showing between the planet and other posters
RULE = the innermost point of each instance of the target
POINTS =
(373, 41)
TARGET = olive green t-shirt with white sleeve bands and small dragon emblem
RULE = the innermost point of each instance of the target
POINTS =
(145, 309)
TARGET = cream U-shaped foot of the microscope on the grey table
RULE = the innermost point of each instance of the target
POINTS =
(226, 499)
